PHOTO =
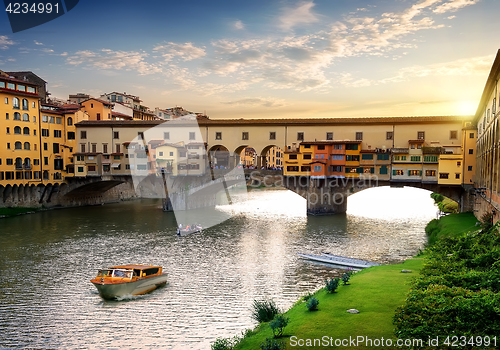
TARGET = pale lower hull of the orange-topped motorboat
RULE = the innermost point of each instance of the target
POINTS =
(109, 290)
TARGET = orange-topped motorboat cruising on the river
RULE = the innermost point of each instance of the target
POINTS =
(119, 281)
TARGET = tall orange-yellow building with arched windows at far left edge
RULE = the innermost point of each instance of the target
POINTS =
(20, 151)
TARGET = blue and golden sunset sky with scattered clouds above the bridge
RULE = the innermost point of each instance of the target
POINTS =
(266, 58)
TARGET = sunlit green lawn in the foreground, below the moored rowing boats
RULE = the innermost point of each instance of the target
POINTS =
(376, 292)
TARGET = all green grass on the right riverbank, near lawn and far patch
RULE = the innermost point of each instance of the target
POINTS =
(375, 292)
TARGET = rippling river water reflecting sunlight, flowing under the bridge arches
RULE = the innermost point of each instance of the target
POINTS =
(48, 258)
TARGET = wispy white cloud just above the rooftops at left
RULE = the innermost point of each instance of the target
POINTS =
(114, 60)
